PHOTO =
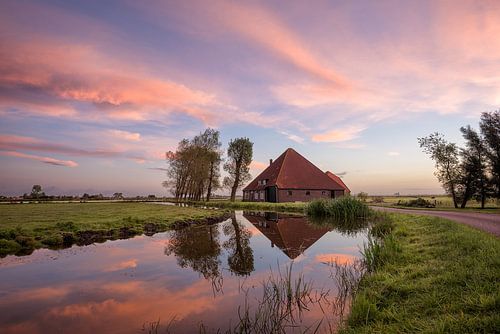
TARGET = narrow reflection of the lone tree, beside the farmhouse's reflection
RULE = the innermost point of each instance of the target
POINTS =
(240, 259)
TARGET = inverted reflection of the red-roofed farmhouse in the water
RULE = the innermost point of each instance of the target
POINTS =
(292, 234)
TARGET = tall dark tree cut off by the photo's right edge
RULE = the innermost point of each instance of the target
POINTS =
(490, 130)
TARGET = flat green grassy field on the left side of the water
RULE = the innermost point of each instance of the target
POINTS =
(25, 227)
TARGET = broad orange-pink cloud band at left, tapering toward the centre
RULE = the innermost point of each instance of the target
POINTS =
(72, 73)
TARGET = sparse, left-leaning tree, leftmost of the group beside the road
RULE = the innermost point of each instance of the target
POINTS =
(447, 162)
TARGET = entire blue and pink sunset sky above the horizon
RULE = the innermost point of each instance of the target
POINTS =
(93, 93)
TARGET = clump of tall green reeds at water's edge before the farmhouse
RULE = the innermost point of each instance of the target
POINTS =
(341, 209)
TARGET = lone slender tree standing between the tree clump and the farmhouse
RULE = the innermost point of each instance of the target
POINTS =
(239, 157)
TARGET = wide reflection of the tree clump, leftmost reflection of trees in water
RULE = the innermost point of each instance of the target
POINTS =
(198, 248)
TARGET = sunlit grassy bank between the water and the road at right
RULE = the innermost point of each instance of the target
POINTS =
(428, 275)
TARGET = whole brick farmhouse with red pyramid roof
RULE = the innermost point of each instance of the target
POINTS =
(293, 178)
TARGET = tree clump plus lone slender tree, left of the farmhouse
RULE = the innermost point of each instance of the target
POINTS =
(194, 168)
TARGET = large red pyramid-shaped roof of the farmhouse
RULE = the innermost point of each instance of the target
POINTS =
(292, 171)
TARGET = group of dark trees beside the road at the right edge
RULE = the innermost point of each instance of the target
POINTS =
(473, 171)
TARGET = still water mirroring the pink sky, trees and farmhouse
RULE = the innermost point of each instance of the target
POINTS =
(184, 279)
